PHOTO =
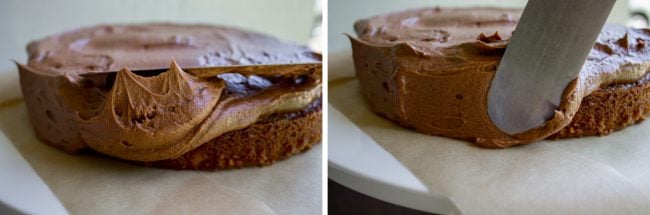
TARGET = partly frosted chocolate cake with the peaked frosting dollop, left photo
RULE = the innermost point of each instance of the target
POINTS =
(101, 89)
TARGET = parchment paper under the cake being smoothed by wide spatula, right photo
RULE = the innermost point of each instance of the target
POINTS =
(591, 175)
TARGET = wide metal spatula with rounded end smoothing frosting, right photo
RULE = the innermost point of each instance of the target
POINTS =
(546, 52)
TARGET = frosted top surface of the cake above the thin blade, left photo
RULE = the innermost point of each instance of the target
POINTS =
(151, 46)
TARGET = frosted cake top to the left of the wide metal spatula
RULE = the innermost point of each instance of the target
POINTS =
(435, 27)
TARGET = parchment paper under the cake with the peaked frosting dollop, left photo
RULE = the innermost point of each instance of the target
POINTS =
(93, 184)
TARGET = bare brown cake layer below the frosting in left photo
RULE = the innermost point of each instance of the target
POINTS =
(272, 138)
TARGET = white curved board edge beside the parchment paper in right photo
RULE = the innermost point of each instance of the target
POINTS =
(357, 162)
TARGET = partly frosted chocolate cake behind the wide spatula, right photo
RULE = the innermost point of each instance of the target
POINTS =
(430, 69)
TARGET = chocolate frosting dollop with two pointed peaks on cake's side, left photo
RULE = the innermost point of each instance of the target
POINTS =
(143, 114)
